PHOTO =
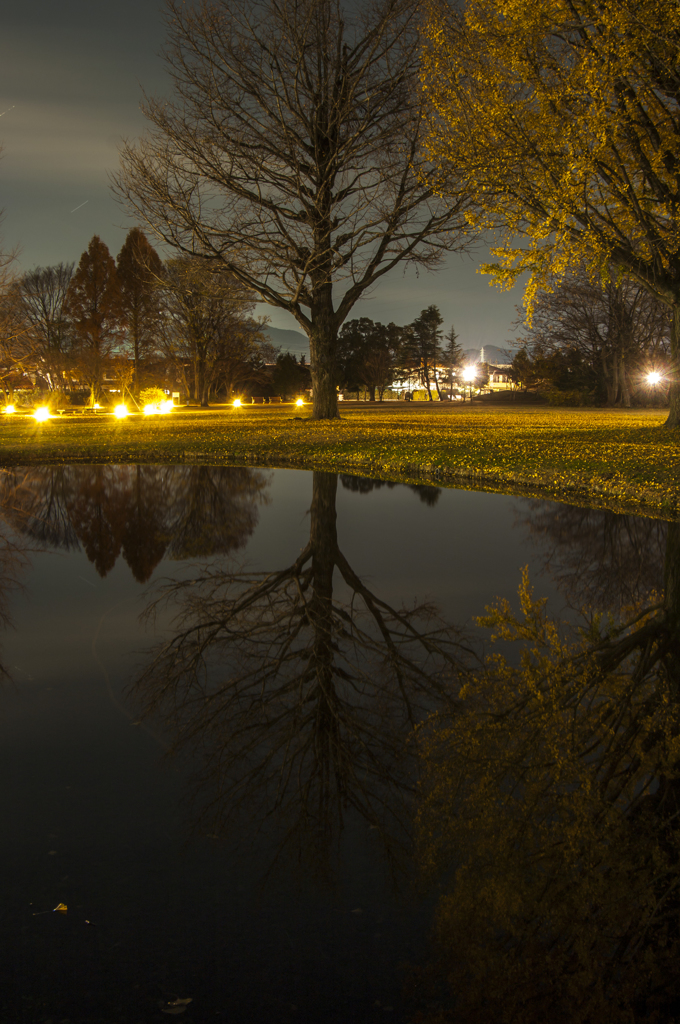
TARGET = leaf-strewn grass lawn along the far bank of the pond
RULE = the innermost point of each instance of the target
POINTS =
(615, 459)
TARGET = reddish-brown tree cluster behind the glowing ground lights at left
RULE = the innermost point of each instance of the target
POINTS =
(129, 324)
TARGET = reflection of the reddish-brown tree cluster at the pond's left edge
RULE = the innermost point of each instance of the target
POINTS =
(145, 514)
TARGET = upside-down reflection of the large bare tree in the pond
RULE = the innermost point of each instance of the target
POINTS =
(303, 703)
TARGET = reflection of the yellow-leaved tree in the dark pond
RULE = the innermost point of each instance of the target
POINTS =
(550, 813)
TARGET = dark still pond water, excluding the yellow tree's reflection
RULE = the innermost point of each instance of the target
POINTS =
(230, 819)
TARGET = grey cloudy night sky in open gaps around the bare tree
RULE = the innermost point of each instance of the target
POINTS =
(73, 73)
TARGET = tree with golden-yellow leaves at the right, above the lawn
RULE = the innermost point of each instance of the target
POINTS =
(566, 119)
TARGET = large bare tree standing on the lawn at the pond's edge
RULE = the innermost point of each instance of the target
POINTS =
(293, 158)
